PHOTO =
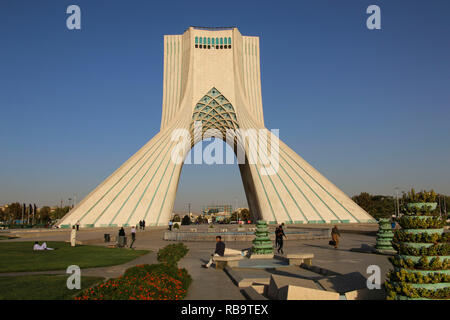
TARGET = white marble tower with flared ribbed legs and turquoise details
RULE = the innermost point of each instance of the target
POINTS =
(212, 75)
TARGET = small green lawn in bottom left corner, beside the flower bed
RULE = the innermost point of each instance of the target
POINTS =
(41, 287)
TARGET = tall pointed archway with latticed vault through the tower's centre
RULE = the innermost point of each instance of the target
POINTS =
(210, 165)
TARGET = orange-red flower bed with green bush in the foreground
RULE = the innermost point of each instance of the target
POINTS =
(163, 281)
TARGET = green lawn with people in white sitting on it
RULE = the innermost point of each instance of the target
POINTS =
(19, 256)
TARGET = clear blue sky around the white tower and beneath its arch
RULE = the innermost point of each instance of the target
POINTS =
(369, 109)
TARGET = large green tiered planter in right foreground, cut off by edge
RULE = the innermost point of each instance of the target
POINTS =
(422, 265)
